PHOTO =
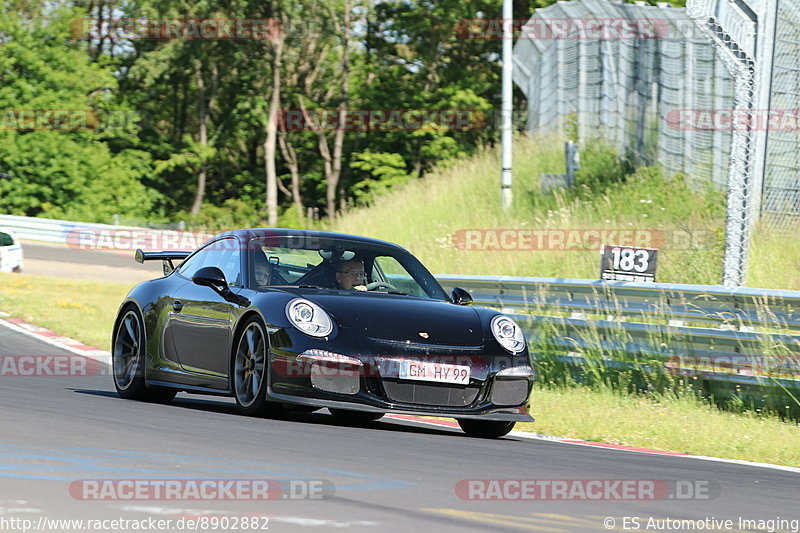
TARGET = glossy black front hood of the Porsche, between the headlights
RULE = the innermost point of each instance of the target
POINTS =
(404, 318)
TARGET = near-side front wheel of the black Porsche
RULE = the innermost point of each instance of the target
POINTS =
(249, 370)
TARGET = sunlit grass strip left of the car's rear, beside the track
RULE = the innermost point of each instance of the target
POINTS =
(80, 309)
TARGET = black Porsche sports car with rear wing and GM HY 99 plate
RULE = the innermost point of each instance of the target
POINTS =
(283, 318)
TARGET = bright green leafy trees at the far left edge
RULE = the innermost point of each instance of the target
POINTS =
(69, 172)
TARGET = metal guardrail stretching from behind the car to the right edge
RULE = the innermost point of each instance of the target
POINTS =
(742, 336)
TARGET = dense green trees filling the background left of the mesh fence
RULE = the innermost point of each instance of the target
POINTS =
(143, 152)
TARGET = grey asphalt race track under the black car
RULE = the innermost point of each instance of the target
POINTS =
(388, 476)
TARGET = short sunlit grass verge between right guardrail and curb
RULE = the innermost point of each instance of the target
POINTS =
(674, 423)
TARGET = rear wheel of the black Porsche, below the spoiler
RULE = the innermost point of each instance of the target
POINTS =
(127, 360)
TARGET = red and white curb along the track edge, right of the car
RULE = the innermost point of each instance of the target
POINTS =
(601, 445)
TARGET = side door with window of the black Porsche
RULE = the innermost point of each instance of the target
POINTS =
(201, 320)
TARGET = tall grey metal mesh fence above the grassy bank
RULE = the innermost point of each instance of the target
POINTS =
(691, 89)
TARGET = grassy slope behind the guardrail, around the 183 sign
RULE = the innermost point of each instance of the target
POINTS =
(425, 214)
